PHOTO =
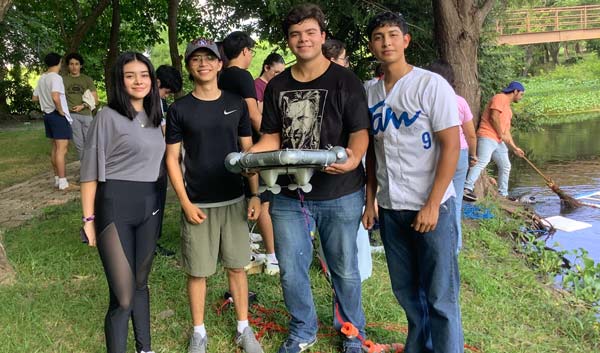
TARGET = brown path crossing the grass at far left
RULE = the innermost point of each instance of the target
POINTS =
(22, 202)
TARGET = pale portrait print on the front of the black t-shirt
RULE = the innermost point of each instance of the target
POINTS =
(302, 112)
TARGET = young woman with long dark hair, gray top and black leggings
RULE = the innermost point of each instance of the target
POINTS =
(120, 165)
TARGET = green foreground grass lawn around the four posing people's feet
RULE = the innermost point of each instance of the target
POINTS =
(59, 300)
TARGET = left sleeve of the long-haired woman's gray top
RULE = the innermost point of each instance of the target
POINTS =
(93, 162)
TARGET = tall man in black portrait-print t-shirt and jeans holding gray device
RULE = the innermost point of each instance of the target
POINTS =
(316, 104)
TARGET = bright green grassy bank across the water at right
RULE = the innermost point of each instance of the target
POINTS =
(566, 94)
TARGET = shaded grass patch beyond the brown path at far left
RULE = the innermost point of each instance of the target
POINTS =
(25, 152)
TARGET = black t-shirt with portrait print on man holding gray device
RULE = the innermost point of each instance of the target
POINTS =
(318, 115)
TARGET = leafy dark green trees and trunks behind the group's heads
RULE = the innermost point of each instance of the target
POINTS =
(100, 29)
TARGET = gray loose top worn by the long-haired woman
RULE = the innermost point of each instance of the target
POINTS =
(121, 149)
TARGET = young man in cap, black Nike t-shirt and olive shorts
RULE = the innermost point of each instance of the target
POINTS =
(211, 123)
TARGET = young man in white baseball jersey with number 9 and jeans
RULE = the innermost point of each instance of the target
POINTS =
(414, 121)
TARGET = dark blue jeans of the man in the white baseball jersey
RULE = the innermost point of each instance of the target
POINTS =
(425, 279)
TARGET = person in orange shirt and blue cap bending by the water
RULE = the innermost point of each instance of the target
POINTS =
(494, 139)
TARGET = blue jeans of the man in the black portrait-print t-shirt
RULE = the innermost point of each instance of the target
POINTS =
(337, 224)
